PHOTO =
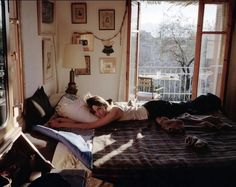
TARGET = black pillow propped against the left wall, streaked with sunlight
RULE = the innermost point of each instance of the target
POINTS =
(37, 109)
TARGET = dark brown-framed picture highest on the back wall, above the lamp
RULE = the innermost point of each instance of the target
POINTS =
(78, 13)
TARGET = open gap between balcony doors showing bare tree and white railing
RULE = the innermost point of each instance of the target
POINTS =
(167, 48)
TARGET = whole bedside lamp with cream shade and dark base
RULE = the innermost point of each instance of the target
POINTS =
(73, 58)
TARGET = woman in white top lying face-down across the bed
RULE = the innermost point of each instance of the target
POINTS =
(161, 111)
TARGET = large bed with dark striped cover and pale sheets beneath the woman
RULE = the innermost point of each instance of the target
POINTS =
(142, 153)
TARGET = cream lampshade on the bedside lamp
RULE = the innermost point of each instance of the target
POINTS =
(74, 56)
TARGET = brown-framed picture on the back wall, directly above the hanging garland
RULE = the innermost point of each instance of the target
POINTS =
(106, 19)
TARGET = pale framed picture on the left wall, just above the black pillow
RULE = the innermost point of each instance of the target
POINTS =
(48, 59)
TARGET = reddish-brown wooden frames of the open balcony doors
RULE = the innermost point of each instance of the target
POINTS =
(200, 32)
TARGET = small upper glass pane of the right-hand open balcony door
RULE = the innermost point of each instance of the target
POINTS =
(214, 16)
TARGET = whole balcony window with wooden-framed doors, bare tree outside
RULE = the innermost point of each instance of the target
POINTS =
(184, 60)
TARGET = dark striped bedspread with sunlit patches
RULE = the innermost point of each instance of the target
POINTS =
(142, 148)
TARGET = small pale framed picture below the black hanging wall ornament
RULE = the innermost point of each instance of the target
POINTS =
(107, 65)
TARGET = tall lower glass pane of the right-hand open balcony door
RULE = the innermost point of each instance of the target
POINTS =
(211, 63)
